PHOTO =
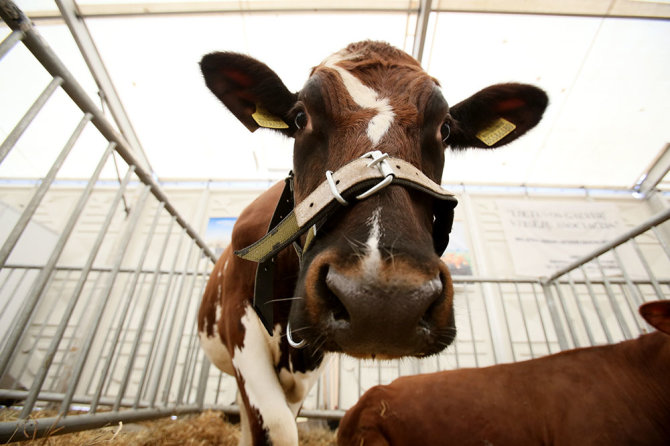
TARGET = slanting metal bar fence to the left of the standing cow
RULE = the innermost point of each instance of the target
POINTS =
(97, 307)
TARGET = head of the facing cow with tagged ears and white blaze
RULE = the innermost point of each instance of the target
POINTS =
(372, 283)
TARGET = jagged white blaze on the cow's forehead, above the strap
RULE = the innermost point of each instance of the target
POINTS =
(365, 97)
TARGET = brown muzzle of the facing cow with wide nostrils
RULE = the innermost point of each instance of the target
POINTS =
(387, 315)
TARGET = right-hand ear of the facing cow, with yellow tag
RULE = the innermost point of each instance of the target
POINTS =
(496, 115)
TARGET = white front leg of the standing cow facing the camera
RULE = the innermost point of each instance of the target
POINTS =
(254, 362)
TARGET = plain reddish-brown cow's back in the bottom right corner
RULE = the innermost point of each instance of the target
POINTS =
(610, 395)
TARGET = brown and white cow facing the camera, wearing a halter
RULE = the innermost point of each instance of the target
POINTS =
(371, 283)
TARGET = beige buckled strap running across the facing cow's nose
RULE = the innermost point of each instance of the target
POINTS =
(350, 180)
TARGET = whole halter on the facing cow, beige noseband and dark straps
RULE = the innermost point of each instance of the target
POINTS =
(356, 180)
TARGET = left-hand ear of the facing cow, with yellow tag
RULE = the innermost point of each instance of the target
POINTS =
(250, 90)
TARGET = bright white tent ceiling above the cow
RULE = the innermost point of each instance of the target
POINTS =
(608, 79)
